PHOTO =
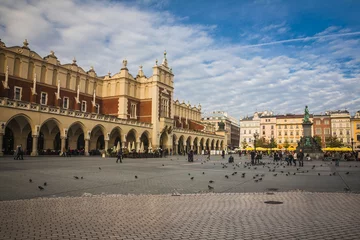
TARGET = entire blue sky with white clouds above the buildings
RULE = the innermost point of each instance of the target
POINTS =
(234, 56)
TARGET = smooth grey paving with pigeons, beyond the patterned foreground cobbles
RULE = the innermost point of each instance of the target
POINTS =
(165, 176)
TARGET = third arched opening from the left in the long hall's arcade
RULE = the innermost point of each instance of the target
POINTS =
(75, 137)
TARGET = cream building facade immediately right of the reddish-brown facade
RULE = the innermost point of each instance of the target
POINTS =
(340, 126)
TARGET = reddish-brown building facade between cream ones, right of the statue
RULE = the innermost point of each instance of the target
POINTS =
(322, 127)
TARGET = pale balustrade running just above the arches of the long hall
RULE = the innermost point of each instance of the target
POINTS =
(4, 102)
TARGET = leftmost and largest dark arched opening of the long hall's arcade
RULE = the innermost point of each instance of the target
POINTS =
(17, 131)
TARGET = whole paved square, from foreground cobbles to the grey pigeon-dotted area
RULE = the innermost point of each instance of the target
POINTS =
(163, 202)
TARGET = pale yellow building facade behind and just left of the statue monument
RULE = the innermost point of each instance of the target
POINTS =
(289, 129)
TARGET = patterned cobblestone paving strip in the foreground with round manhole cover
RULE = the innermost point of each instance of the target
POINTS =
(194, 216)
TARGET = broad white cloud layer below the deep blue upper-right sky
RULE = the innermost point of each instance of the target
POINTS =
(220, 76)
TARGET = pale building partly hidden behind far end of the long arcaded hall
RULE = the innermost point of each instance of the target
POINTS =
(232, 126)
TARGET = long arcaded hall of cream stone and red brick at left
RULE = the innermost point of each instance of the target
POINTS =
(48, 105)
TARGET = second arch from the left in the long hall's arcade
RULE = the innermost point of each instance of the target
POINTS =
(49, 135)
